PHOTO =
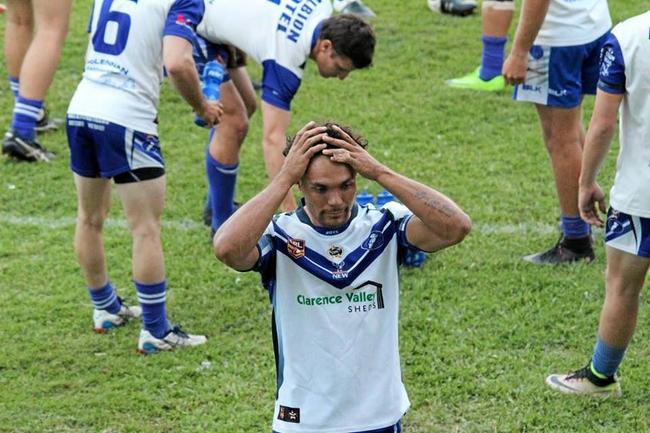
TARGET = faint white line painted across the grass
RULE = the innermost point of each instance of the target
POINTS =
(530, 228)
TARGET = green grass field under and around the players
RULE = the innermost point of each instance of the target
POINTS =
(480, 329)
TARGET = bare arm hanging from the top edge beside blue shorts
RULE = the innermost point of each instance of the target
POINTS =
(531, 19)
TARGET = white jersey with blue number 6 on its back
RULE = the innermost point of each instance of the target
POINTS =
(124, 61)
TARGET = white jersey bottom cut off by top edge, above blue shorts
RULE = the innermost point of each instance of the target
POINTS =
(574, 22)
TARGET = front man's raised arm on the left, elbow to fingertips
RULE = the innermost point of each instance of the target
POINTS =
(235, 243)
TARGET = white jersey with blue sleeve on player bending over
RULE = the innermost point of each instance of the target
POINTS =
(278, 34)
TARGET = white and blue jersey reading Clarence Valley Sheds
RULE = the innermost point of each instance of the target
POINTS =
(335, 296)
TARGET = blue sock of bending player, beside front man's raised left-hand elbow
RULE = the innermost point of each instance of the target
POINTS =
(221, 182)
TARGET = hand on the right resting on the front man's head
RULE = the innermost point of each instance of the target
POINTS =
(350, 152)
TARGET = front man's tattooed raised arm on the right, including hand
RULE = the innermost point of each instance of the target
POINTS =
(437, 221)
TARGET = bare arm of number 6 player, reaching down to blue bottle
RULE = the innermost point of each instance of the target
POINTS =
(179, 63)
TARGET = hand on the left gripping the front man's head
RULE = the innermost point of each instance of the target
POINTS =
(307, 142)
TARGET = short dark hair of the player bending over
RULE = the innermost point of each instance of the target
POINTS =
(351, 37)
